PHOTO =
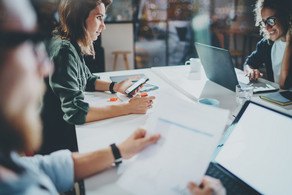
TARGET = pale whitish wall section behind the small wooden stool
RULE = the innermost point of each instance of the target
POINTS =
(118, 37)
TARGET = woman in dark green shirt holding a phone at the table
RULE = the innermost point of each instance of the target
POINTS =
(81, 24)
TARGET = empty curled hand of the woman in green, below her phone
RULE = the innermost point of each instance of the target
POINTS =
(140, 105)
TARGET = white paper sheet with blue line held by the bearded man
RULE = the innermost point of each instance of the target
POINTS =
(188, 139)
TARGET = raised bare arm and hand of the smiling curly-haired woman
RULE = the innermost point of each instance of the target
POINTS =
(286, 64)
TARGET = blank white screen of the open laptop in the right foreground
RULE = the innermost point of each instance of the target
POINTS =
(259, 150)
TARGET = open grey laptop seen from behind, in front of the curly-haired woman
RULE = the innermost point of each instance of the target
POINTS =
(219, 68)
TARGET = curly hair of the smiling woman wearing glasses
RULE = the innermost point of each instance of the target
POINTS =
(283, 9)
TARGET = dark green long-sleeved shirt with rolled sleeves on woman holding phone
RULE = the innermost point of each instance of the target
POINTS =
(70, 79)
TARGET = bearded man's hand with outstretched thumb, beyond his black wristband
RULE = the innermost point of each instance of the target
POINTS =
(136, 143)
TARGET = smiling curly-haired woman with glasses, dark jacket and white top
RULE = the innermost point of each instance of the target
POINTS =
(274, 51)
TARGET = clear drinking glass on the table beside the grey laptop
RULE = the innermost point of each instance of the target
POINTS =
(243, 93)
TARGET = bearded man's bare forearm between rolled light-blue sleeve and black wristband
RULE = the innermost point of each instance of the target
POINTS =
(91, 163)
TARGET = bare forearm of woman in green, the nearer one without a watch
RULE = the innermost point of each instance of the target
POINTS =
(104, 112)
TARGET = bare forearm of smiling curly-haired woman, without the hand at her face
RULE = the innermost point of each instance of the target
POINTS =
(286, 65)
